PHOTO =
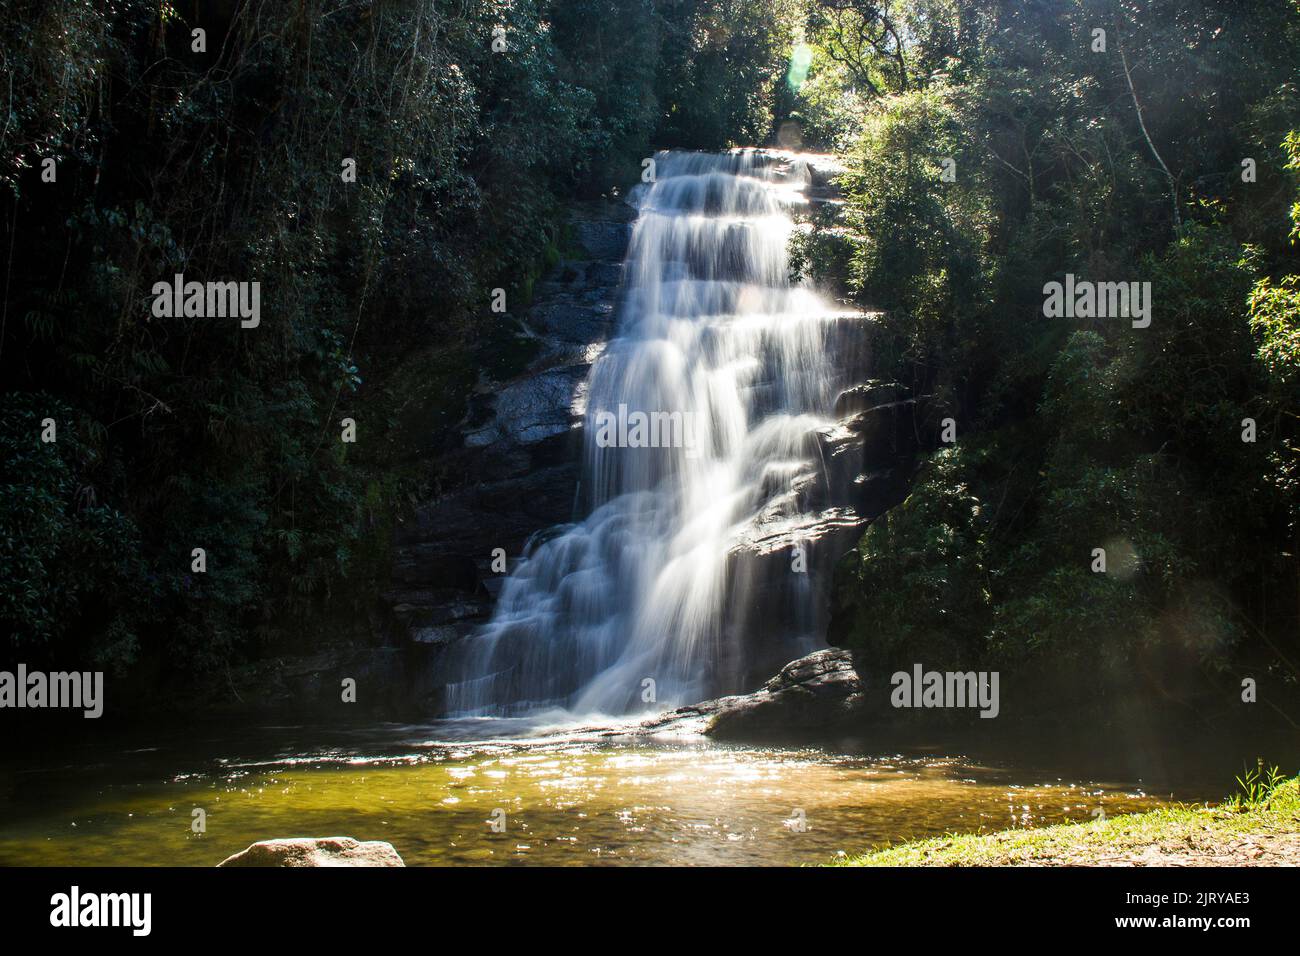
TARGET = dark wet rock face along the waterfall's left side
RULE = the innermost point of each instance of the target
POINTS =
(522, 443)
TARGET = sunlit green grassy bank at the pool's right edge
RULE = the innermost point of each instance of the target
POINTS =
(1260, 828)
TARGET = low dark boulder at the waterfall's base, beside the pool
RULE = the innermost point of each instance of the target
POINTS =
(809, 698)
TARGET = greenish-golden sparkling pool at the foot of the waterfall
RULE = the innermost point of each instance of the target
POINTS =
(569, 798)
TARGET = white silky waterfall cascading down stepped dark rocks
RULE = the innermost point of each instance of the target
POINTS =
(726, 367)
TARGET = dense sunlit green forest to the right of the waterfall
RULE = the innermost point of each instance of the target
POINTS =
(1125, 163)
